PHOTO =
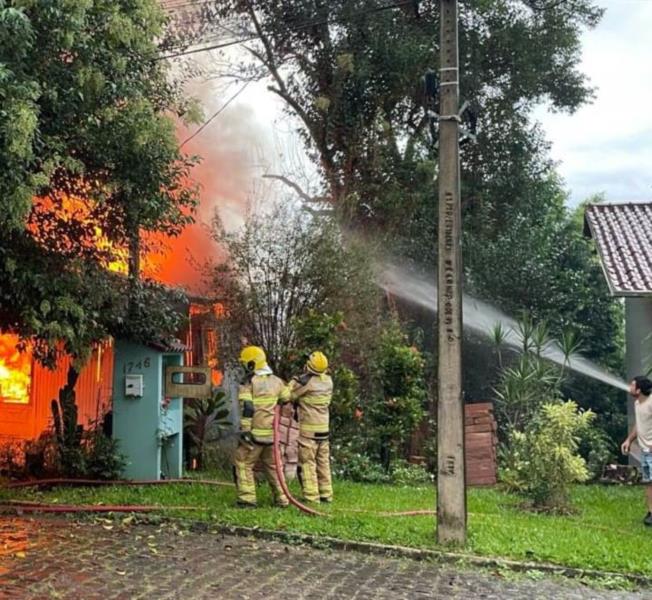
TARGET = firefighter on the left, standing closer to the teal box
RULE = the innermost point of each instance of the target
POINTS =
(260, 391)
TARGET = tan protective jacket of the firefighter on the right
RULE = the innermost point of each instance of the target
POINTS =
(313, 394)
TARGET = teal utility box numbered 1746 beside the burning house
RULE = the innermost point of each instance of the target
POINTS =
(147, 422)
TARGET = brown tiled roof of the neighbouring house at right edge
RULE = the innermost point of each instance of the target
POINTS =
(623, 236)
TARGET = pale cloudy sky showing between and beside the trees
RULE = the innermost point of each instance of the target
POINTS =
(603, 148)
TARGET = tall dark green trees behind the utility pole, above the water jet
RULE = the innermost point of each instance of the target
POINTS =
(350, 73)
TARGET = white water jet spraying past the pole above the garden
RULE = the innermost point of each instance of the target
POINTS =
(481, 318)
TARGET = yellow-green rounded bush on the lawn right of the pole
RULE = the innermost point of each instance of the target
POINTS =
(542, 461)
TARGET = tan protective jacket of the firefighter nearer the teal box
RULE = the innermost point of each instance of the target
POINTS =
(258, 396)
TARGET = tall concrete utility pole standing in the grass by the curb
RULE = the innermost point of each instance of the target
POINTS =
(451, 479)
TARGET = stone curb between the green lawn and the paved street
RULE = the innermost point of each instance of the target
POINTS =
(441, 556)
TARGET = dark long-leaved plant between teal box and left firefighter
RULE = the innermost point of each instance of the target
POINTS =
(204, 420)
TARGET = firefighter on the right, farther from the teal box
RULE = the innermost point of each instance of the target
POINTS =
(312, 394)
